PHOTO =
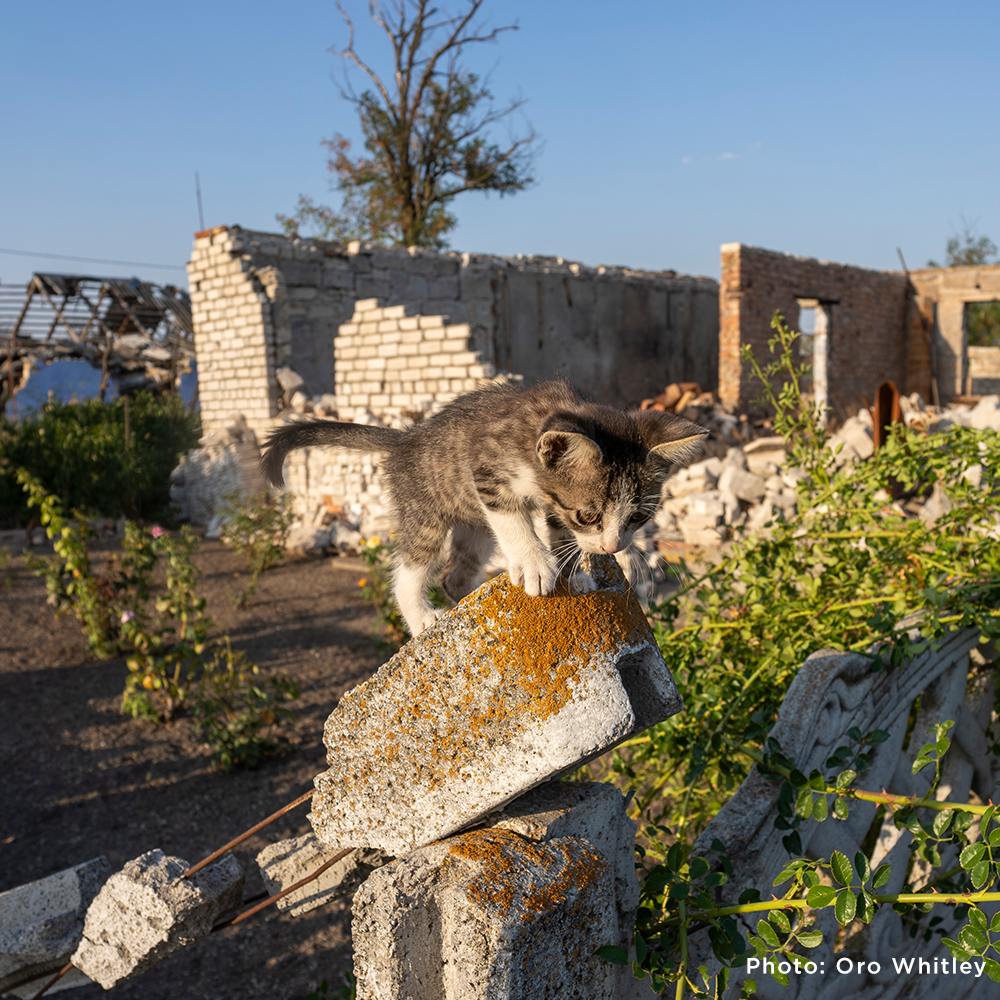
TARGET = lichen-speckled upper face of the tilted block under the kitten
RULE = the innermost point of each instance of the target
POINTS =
(499, 663)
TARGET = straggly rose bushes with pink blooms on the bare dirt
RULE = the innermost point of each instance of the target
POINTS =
(174, 660)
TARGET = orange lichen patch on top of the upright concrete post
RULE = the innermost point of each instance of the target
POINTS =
(520, 878)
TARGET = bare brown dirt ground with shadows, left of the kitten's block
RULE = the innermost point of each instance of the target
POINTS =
(78, 779)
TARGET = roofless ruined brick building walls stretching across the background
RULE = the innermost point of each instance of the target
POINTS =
(262, 303)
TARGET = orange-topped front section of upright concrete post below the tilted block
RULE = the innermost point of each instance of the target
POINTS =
(487, 915)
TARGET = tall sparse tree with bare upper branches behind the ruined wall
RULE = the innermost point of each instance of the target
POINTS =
(426, 133)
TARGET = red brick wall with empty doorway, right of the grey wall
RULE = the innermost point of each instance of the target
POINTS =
(868, 331)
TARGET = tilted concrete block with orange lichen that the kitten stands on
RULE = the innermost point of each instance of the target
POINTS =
(503, 692)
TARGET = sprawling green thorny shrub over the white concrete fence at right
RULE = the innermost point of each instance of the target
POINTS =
(851, 570)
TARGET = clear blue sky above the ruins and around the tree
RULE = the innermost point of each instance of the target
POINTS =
(839, 131)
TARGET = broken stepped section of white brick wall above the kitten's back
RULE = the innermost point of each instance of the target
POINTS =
(392, 362)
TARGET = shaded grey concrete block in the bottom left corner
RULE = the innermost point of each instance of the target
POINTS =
(41, 923)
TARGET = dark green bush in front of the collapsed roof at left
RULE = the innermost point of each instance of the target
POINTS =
(77, 451)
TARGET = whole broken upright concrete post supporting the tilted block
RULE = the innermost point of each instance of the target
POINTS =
(476, 916)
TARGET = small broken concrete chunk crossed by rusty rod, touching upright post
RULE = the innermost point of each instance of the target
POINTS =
(288, 861)
